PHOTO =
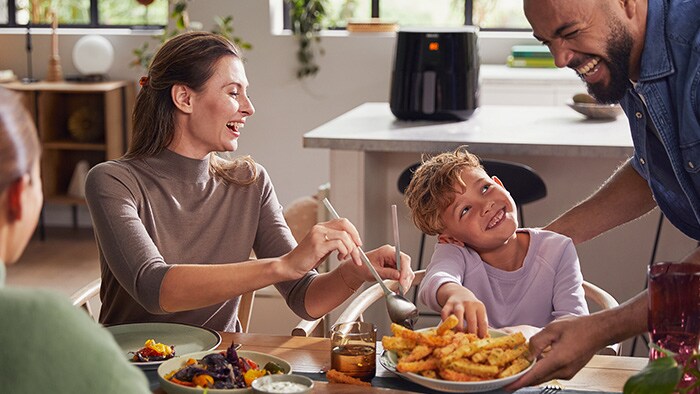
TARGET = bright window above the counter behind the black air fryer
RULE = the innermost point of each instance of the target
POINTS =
(487, 14)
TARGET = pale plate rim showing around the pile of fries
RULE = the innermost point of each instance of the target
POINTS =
(388, 359)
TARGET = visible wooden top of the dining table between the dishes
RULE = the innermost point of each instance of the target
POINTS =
(310, 356)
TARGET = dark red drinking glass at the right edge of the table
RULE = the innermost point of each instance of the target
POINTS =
(674, 308)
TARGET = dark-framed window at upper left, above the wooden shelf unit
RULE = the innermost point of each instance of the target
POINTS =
(85, 13)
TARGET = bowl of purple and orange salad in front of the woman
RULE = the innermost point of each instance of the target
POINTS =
(224, 371)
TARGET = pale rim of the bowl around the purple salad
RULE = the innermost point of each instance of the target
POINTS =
(178, 362)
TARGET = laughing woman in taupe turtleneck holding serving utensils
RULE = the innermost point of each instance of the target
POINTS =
(176, 224)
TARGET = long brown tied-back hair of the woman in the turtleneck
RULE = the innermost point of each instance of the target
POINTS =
(187, 59)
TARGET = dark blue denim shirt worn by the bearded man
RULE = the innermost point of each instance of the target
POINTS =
(669, 84)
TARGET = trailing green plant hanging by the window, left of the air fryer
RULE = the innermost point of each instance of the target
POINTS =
(307, 18)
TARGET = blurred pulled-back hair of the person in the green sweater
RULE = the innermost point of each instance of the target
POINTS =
(19, 145)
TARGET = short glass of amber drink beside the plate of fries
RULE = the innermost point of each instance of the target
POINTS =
(354, 349)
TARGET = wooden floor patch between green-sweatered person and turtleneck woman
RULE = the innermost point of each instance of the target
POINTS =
(65, 261)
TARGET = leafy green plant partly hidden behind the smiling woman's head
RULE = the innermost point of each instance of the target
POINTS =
(181, 22)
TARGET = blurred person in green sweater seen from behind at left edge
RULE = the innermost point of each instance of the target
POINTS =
(48, 345)
